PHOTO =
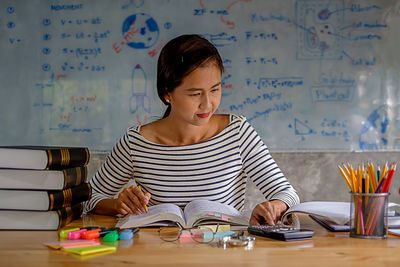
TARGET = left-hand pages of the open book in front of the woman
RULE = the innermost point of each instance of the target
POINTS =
(156, 215)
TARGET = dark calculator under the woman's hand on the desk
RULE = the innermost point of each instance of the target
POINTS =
(280, 232)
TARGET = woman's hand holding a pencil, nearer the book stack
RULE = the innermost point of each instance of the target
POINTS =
(132, 201)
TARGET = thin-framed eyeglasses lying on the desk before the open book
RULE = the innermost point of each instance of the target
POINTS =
(200, 235)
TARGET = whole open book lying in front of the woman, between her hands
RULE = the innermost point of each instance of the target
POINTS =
(197, 212)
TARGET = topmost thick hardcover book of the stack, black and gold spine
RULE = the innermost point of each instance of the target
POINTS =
(43, 158)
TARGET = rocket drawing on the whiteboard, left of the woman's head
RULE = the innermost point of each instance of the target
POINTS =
(139, 96)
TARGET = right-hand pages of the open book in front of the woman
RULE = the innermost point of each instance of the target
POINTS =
(201, 210)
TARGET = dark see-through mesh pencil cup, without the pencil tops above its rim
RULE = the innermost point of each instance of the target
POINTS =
(368, 215)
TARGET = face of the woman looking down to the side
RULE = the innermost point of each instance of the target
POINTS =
(198, 96)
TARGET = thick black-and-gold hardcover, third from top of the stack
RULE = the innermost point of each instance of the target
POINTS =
(44, 200)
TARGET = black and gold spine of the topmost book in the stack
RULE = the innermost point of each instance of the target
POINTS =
(67, 157)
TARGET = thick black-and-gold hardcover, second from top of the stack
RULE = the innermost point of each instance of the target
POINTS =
(42, 179)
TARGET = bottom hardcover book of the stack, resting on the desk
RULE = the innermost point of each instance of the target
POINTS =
(38, 220)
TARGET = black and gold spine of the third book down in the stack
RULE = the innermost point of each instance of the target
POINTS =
(69, 197)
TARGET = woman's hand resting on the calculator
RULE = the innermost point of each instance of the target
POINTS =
(268, 212)
